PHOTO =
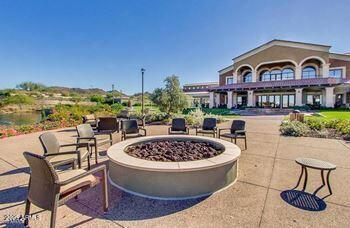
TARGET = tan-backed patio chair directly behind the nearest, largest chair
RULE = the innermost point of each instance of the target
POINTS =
(53, 153)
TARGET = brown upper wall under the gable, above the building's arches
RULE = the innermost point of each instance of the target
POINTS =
(276, 53)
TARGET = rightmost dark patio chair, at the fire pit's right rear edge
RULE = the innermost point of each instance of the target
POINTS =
(237, 131)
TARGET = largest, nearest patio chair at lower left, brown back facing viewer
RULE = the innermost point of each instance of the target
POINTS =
(49, 189)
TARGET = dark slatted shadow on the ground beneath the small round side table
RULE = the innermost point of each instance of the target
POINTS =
(303, 200)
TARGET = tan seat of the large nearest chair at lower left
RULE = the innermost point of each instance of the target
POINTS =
(86, 181)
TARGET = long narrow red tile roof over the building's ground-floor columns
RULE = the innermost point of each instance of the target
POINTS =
(282, 84)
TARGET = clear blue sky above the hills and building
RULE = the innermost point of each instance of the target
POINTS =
(98, 43)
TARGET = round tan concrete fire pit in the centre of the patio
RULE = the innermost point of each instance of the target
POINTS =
(173, 179)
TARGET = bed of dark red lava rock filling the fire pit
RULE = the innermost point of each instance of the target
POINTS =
(171, 150)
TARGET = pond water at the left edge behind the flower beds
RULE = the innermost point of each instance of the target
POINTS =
(24, 118)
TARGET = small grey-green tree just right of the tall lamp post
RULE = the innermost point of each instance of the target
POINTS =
(171, 98)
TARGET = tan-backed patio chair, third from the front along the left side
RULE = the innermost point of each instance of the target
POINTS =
(87, 135)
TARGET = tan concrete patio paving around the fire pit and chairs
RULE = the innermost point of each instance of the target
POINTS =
(266, 169)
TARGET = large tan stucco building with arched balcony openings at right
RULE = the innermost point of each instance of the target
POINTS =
(284, 74)
